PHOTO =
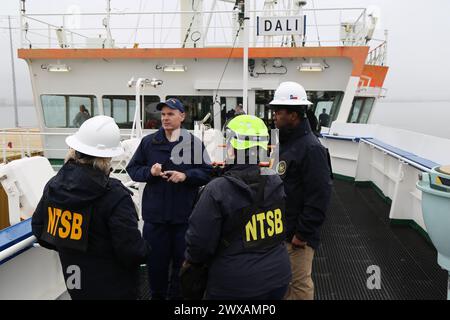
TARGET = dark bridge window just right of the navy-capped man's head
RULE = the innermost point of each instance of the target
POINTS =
(196, 107)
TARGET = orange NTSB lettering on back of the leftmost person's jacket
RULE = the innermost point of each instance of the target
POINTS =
(64, 224)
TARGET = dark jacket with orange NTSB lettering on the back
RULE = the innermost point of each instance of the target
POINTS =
(109, 264)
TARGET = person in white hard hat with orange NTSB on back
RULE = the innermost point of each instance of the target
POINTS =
(90, 218)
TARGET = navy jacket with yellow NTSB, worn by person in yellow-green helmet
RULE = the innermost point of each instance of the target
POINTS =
(247, 267)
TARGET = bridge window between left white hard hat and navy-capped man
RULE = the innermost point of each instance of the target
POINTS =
(122, 109)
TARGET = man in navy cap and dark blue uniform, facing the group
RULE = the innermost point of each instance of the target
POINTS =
(173, 178)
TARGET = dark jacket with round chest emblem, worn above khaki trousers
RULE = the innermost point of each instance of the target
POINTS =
(303, 166)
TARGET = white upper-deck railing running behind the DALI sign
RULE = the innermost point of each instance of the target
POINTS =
(324, 27)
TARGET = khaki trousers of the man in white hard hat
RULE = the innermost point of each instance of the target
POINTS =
(301, 286)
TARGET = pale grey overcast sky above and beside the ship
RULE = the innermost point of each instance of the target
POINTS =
(418, 55)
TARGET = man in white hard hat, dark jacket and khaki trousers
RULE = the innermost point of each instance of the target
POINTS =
(304, 169)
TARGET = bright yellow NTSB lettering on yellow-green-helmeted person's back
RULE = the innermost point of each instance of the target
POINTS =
(264, 224)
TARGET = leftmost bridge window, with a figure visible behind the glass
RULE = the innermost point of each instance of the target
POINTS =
(68, 111)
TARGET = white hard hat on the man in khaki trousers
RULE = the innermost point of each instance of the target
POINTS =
(290, 94)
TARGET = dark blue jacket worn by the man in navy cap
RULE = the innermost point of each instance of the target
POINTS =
(167, 202)
